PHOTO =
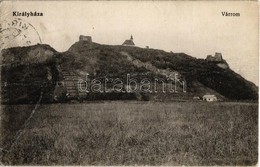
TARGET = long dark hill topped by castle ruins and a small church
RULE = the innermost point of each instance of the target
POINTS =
(41, 64)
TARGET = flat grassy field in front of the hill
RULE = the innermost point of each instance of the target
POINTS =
(132, 133)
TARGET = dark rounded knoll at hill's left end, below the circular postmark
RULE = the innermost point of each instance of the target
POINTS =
(26, 72)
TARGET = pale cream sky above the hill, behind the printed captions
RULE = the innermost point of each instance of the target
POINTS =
(195, 28)
